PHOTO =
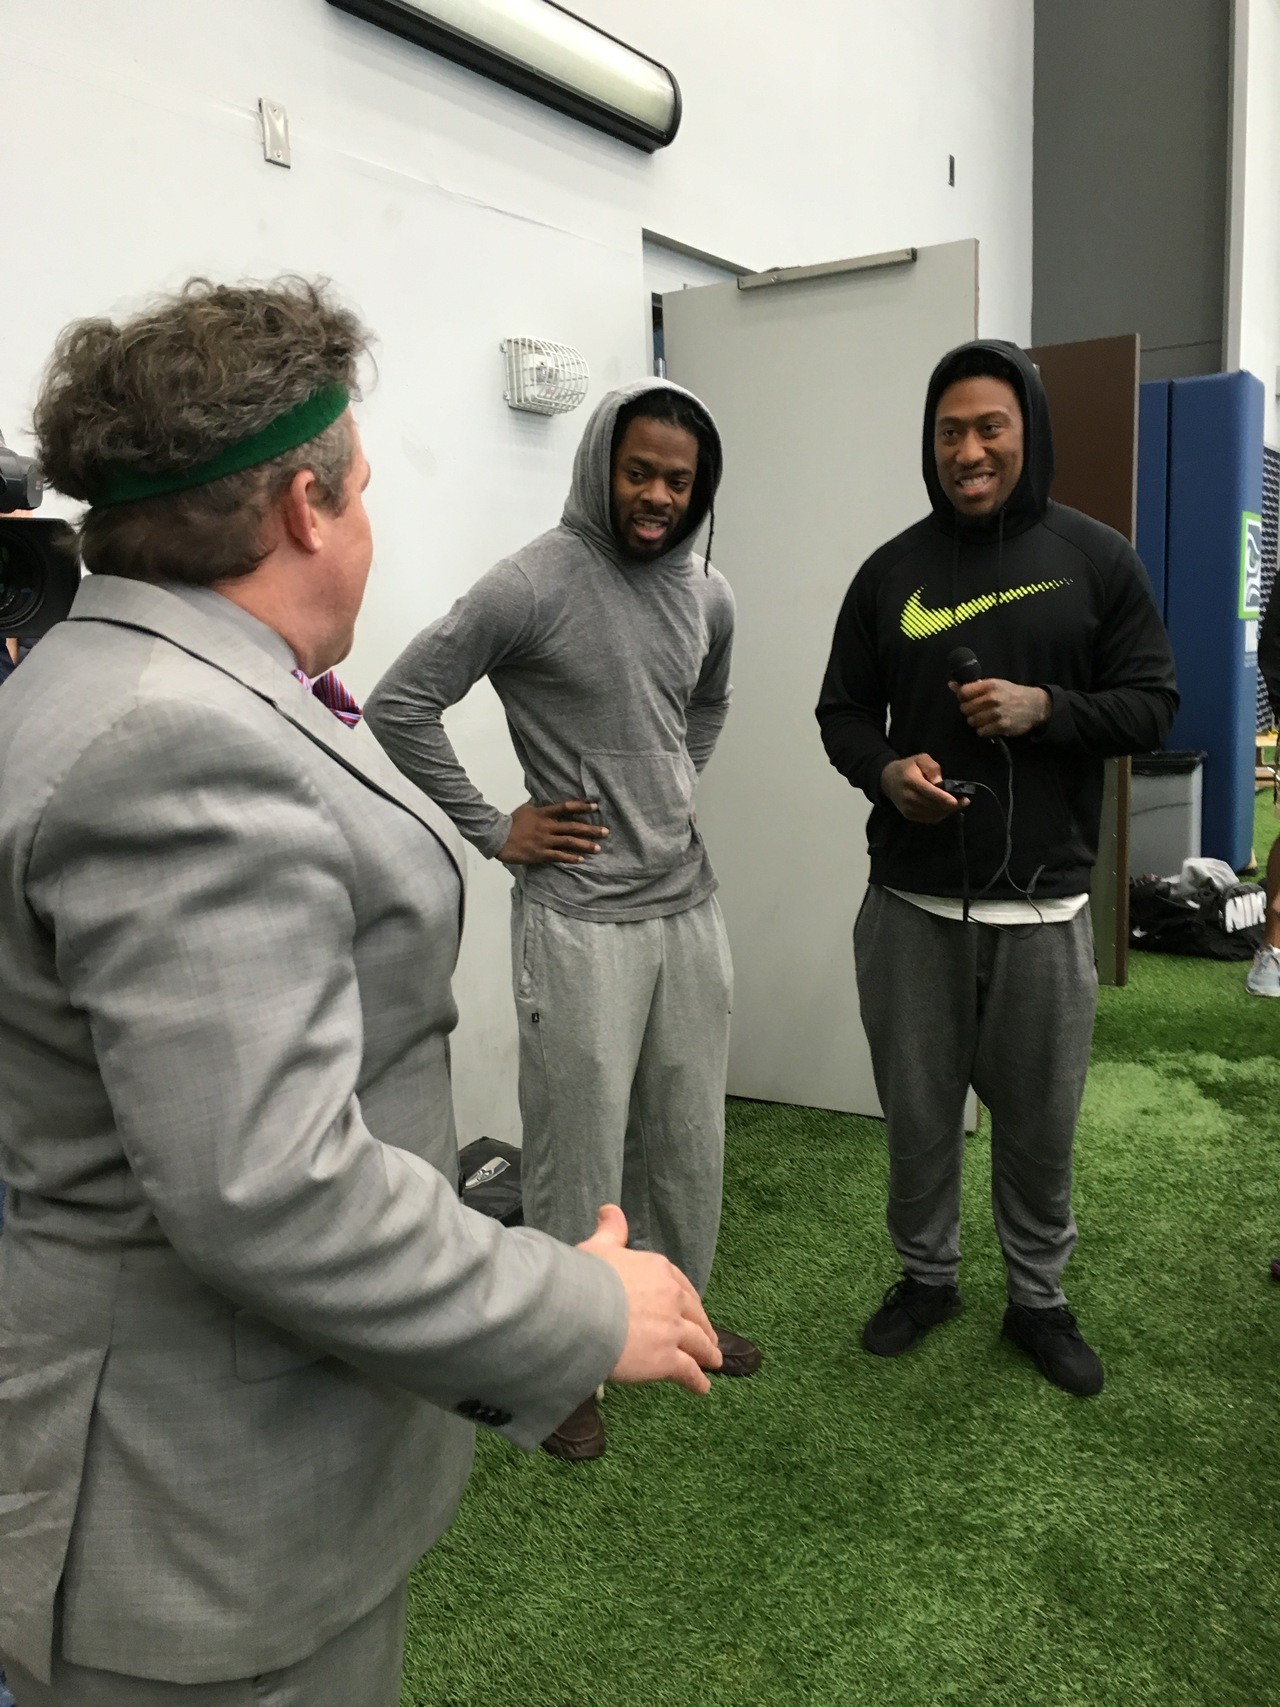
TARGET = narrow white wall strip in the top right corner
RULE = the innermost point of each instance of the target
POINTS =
(1254, 267)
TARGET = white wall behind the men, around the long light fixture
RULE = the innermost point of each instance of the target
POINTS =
(455, 213)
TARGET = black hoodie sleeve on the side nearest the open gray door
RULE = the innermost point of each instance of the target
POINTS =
(854, 704)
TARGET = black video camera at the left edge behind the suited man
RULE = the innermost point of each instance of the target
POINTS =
(38, 564)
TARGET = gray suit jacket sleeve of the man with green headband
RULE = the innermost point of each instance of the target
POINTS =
(201, 902)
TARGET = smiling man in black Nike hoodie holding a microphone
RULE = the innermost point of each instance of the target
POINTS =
(974, 947)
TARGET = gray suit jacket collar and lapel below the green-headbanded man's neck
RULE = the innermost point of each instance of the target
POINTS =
(156, 612)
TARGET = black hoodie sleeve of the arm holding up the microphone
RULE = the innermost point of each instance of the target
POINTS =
(1134, 696)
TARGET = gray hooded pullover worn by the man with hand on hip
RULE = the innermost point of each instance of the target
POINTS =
(615, 682)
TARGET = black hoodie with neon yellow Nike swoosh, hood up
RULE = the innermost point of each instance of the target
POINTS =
(1044, 597)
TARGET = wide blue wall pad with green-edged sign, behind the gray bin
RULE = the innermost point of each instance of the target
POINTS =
(1216, 475)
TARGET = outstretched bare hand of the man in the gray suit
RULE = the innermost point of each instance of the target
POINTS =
(668, 1334)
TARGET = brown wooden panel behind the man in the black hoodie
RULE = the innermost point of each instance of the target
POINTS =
(1093, 392)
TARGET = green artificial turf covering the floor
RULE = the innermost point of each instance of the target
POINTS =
(946, 1529)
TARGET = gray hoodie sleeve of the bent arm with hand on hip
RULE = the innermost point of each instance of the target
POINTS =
(405, 711)
